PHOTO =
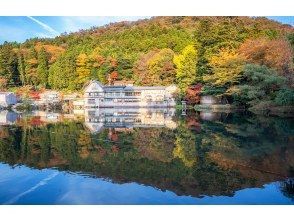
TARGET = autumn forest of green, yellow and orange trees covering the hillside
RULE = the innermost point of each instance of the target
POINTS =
(247, 60)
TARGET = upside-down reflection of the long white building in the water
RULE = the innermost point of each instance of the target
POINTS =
(96, 119)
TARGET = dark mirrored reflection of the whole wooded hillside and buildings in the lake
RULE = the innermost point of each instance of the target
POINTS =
(201, 154)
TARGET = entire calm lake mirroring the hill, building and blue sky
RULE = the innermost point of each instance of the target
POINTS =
(145, 156)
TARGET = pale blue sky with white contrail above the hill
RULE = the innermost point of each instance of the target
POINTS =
(24, 27)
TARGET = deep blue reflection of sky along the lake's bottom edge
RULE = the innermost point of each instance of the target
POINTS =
(22, 185)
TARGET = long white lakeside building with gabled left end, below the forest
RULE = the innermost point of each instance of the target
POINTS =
(97, 95)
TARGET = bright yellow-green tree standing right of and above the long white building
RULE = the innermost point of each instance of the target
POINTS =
(186, 67)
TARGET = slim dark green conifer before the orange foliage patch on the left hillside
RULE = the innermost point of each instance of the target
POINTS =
(42, 69)
